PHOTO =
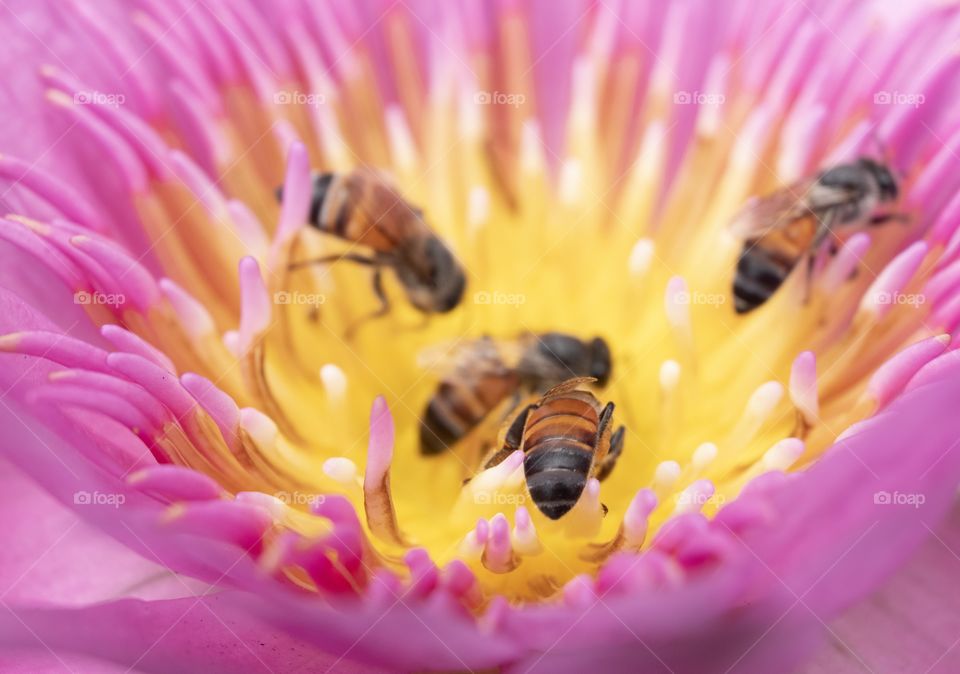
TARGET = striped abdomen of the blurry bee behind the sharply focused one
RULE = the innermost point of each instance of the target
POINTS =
(460, 404)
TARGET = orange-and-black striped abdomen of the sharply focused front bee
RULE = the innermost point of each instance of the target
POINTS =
(559, 444)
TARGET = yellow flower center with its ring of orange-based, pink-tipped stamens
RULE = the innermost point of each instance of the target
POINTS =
(625, 239)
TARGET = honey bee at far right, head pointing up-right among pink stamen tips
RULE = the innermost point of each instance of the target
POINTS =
(782, 228)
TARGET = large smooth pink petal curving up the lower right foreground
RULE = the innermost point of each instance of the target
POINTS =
(805, 560)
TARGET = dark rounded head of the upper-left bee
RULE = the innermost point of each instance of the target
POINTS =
(433, 278)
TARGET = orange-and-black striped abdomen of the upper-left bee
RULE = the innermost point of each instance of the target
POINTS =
(358, 208)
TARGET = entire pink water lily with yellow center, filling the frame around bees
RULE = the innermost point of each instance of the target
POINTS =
(236, 483)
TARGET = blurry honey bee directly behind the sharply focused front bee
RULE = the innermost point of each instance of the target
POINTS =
(486, 373)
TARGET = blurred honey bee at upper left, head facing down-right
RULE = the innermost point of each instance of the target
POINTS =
(362, 207)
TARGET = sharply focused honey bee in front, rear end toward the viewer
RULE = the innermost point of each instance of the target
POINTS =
(566, 439)
